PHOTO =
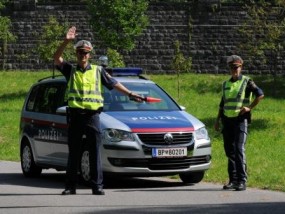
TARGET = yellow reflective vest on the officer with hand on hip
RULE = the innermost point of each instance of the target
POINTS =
(234, 96)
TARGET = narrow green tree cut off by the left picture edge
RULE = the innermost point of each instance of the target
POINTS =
(6, 34)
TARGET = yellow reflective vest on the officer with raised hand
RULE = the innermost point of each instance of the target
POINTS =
(85, 89)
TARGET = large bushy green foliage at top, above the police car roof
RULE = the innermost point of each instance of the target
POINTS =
(118, 22)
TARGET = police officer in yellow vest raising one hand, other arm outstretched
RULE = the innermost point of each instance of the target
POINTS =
(85, 103)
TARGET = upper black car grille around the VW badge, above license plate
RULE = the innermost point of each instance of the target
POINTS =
(158, 138)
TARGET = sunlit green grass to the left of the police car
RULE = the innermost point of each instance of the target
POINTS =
(14, 87)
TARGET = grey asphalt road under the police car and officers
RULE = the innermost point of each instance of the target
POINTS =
(129, 196)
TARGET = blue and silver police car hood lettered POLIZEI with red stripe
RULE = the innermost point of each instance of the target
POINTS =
(145, 121)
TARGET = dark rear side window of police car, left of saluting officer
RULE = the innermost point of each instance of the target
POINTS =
(46, 98)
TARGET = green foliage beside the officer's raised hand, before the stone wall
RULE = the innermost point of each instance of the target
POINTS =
(52, 36)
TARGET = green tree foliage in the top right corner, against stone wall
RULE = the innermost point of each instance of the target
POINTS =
(263, 34)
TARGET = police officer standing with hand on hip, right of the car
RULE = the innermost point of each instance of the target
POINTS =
(235, 114)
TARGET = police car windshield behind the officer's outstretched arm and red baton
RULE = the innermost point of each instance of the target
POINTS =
(116, 101)
